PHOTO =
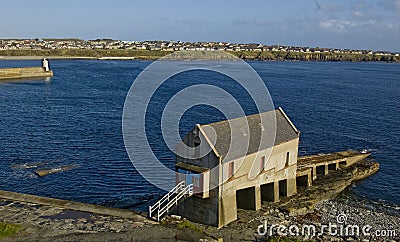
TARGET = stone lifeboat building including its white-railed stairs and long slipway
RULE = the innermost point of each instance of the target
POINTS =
(266, 172)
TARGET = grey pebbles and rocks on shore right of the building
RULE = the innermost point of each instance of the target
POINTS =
(344, 212)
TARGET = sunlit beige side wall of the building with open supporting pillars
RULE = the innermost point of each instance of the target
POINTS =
(276, 169)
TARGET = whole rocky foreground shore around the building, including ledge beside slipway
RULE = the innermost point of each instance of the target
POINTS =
(44, 219)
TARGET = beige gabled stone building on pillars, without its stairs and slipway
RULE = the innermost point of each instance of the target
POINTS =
(225, 180)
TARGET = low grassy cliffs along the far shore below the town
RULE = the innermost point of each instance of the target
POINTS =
(119, 54)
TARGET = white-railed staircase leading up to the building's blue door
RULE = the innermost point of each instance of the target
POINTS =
(170, 199)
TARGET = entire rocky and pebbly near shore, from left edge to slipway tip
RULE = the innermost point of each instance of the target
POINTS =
(316, 206)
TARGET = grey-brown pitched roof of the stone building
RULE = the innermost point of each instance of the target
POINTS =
(258, 134)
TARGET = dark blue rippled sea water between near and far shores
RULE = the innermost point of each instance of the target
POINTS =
(75, 119)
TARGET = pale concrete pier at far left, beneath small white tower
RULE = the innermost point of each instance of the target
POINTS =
(20, 73)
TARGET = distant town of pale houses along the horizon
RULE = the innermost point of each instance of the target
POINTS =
(109, 44)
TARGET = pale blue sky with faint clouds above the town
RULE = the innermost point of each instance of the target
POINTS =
(347, 24)
